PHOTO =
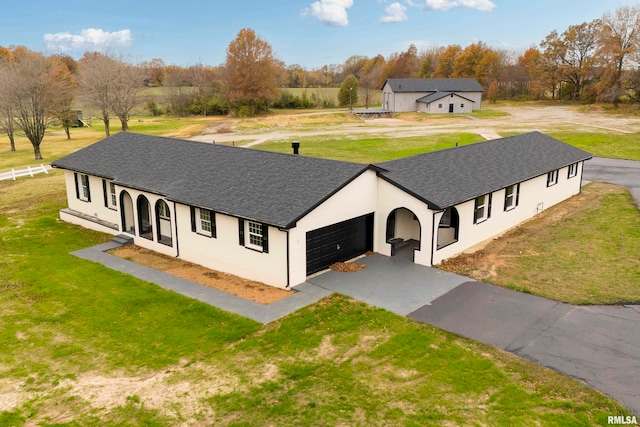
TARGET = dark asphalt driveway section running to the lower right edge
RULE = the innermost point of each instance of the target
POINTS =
(597, 344)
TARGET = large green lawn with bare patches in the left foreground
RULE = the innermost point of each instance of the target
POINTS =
(84, 345)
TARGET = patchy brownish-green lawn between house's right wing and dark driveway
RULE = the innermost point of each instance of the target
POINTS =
(583, 251)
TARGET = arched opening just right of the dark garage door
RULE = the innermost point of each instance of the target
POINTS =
(403, 232)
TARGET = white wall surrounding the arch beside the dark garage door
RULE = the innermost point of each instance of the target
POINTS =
(390, 198)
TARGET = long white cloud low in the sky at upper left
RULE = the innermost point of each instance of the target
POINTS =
(88, 39)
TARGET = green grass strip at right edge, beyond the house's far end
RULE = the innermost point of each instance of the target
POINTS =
(614, 145)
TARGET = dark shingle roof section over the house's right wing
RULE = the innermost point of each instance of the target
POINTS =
(448, 177)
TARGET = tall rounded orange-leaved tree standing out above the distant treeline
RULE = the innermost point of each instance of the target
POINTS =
(251, 70)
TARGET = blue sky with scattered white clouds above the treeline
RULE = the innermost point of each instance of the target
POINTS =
(310, 33)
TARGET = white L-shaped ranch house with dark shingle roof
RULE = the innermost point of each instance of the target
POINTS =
(278, 218)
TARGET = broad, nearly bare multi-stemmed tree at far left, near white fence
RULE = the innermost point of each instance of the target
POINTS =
(31, 85)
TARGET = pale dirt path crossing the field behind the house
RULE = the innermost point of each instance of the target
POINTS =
(520, 119)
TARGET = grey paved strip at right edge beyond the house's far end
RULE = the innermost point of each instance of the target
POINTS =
(615, 171)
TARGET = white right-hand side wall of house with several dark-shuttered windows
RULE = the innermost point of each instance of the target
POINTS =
(534, 195)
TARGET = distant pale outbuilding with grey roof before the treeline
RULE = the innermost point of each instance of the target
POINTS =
(432, 95)
